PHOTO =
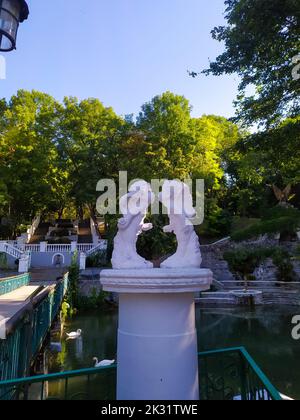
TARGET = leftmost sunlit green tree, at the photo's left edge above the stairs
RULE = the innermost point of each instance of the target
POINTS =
(29, 172)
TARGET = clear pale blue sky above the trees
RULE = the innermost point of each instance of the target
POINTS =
(123, 52)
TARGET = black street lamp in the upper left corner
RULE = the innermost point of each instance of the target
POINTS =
(12, 12)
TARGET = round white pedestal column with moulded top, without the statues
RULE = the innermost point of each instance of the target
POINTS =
(157, 339)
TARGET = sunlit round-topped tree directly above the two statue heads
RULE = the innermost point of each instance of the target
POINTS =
(179, 146)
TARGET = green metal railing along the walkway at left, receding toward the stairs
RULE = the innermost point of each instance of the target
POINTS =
(25, 335)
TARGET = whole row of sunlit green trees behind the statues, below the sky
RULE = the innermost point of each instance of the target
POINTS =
(53, 154)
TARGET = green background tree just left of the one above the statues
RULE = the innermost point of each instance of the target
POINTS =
(88, 147)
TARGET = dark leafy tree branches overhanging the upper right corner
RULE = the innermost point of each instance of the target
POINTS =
(261, 38)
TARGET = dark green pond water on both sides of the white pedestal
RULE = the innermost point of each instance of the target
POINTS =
(265, 332)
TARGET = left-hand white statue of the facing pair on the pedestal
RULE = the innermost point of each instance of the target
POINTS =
(133, 206)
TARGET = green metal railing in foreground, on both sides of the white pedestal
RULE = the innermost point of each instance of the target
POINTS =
(227, 374)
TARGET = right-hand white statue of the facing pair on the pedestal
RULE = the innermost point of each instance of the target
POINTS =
(177, 198)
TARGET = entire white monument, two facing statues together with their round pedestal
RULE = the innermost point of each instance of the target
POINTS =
(157, 338)
